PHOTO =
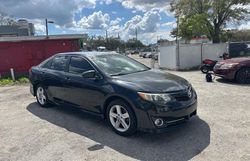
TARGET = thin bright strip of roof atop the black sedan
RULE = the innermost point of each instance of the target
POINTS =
(88, 53)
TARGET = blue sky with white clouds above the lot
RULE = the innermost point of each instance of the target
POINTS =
(151, 18)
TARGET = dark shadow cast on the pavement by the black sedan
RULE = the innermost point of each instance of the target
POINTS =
(180, 144)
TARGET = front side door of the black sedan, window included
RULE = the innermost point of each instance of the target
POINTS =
(86, 93)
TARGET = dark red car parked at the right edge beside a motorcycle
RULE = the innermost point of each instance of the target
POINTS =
(234, 69)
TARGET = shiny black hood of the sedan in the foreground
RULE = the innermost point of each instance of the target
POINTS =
(153, 81)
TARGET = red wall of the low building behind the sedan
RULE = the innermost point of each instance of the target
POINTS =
(24, 54)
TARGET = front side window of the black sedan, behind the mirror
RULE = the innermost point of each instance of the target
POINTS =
(79, 65)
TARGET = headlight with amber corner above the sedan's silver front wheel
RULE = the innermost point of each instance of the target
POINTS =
(157, 98)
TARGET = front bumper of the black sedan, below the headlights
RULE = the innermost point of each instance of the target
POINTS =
(172, 118)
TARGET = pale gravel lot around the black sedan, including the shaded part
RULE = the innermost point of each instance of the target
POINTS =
(220, 132)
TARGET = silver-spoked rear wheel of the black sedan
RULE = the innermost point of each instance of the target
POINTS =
(41, 96)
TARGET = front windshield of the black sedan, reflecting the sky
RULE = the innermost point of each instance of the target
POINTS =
(116, 64)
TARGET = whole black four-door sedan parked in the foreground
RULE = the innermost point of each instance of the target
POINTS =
(128, 94)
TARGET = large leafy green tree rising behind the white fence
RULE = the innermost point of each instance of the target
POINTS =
(207, 16)
